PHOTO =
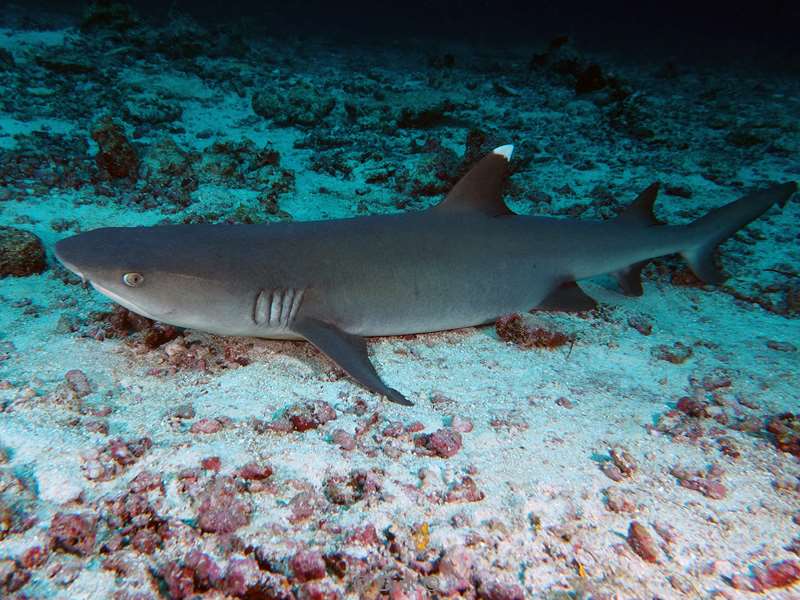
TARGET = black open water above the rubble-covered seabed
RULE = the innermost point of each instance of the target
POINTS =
(705, 31)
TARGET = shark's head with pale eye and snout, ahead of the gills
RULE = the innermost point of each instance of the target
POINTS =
(148, 271)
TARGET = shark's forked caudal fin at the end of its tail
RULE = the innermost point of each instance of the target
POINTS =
(721, 223)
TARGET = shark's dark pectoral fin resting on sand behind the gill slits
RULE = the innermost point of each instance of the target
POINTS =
(349, 352)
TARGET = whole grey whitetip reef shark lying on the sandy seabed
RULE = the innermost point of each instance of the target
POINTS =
(465, 262)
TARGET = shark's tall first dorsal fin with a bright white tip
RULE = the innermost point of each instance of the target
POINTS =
(481, 189)
